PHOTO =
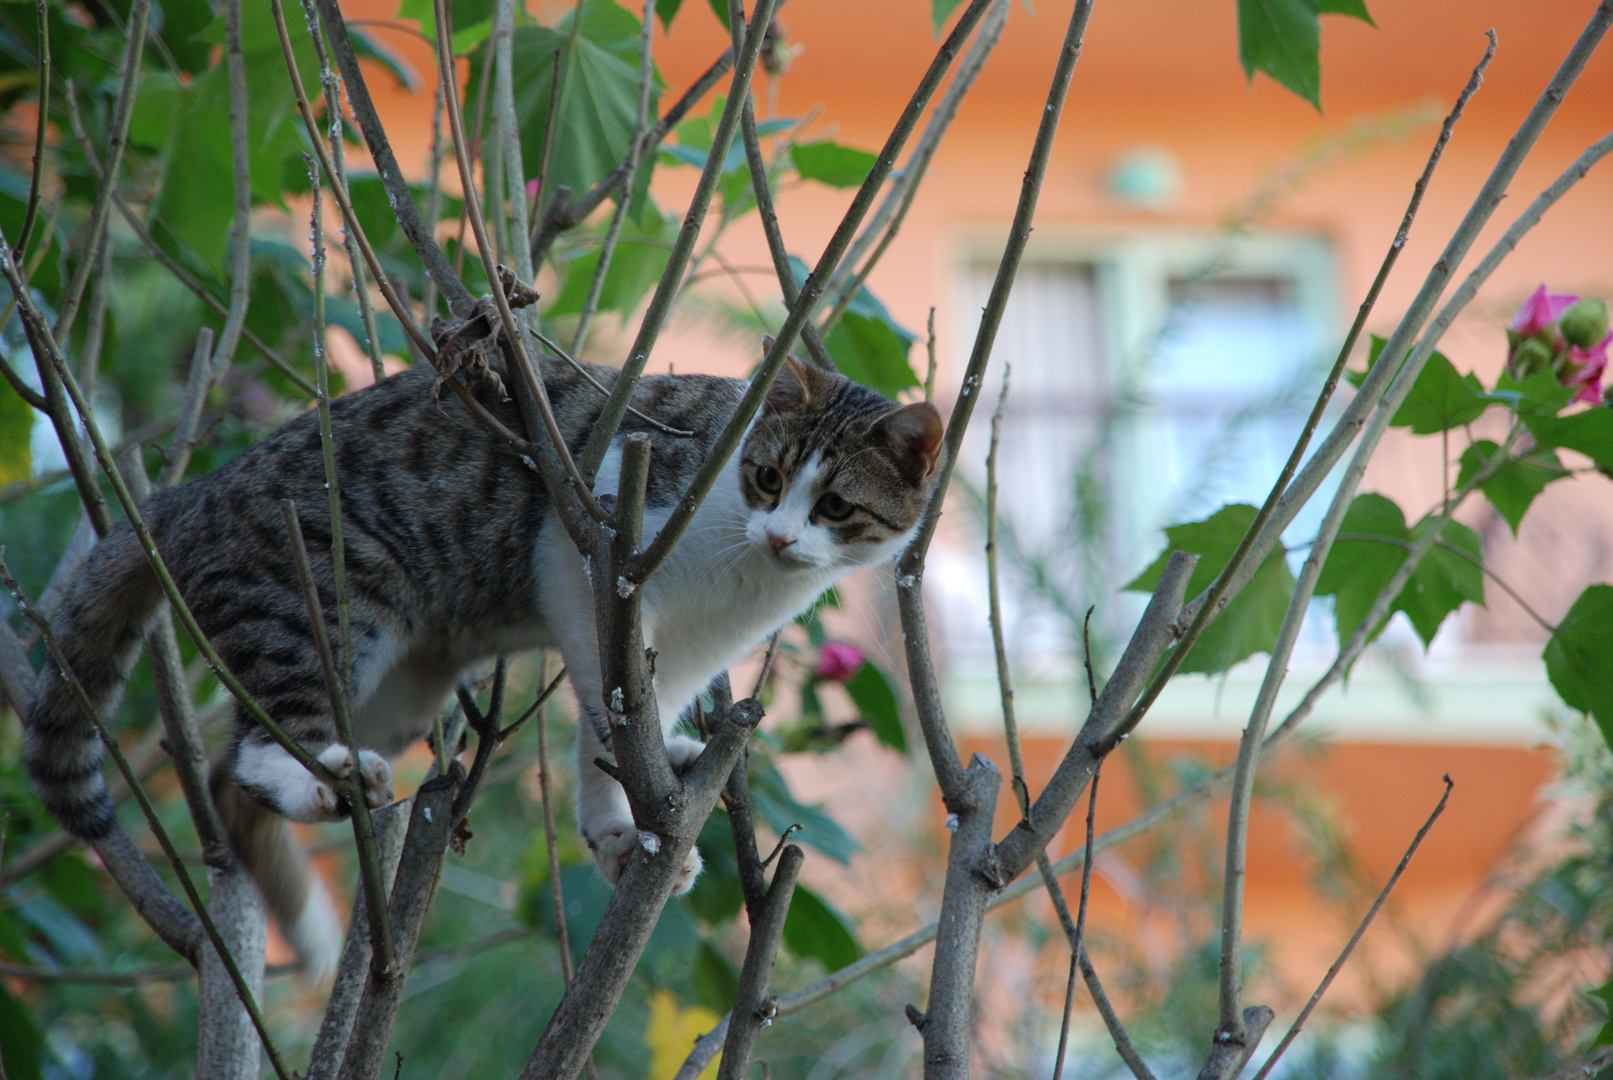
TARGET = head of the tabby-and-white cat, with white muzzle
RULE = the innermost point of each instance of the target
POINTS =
(836, 475)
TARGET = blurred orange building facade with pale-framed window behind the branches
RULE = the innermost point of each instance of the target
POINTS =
(1201, 246)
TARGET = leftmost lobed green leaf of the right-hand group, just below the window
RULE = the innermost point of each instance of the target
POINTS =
(1251, 623)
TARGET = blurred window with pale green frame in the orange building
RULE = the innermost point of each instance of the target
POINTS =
(1152, 381)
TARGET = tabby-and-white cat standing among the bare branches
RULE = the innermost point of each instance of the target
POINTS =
(454, 557)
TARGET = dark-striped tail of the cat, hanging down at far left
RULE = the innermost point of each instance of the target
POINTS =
(99, 628)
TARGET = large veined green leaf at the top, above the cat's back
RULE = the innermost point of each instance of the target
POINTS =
(599, 93)
